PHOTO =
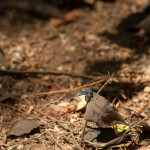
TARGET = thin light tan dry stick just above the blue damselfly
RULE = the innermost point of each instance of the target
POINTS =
(72, 89)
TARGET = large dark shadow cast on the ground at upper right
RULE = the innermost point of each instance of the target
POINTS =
(129, 36)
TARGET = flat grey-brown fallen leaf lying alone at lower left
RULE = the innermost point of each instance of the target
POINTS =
(23, 126)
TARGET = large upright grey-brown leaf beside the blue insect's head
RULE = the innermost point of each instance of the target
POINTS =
(101, 111)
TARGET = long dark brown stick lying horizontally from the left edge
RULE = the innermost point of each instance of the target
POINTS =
(25, 73)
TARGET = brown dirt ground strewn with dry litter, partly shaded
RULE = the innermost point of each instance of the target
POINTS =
(90, 46)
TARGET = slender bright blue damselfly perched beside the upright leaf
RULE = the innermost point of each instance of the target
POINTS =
(82, 93)
